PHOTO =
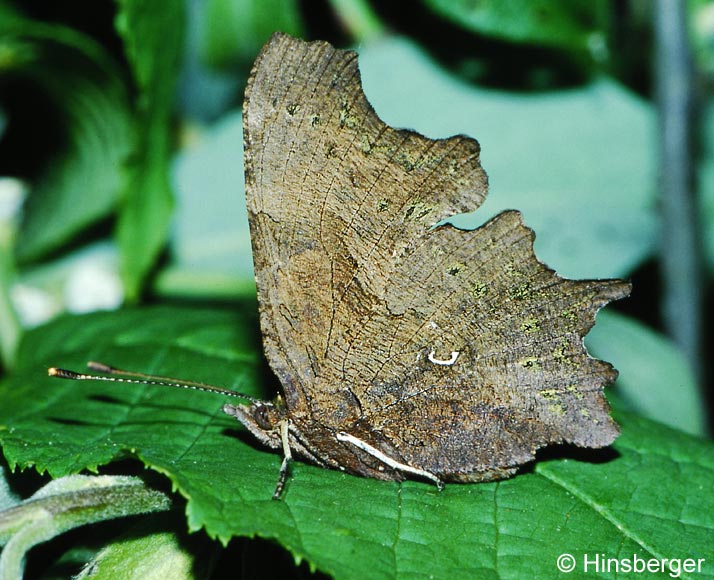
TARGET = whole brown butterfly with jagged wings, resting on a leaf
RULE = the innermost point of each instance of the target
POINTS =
(404, 348)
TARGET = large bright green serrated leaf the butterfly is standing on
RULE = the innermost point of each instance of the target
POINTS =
(649, 496)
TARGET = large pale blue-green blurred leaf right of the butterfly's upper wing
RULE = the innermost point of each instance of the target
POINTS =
(579, 164)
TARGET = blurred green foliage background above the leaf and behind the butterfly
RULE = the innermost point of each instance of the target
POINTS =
(121, 168)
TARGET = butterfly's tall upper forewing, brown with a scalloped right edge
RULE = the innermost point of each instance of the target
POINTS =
(331, 192)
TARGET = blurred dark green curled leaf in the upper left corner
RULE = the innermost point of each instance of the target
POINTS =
(86, 114)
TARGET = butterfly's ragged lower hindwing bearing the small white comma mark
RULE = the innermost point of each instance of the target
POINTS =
(521, 378)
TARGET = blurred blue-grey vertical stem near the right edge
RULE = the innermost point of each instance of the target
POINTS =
(680, 251)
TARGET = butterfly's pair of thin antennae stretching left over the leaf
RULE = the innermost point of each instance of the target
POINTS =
(115, 375)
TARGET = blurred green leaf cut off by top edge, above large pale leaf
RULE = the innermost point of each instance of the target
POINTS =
(573, 24)
